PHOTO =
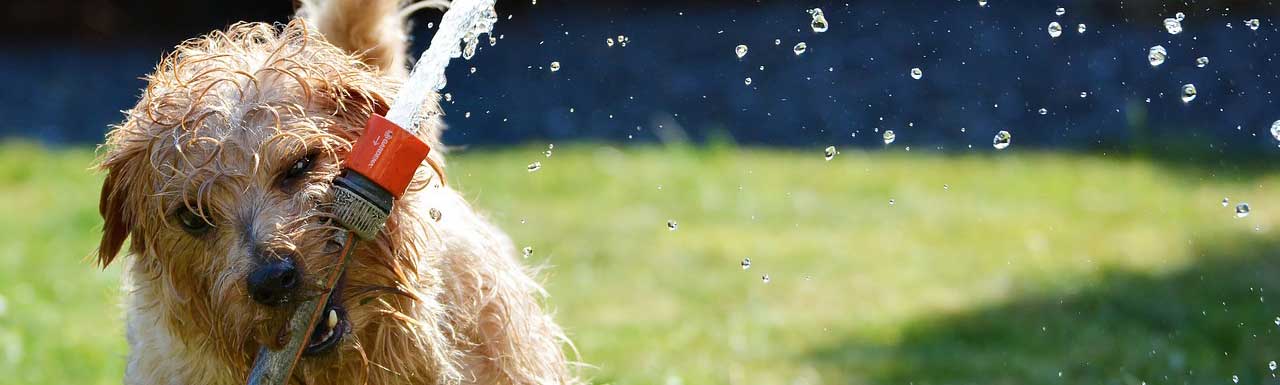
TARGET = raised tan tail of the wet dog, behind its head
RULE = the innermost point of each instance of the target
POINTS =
(374, 30)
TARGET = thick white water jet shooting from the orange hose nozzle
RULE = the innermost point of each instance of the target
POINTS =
(459, 36)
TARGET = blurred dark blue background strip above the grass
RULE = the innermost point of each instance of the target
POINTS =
(70, 67)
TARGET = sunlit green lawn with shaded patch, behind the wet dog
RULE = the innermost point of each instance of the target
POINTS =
(1028, 269)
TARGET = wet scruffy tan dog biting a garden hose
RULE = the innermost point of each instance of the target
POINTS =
(221, 178)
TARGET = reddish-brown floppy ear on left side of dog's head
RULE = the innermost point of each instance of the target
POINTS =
(116, 217)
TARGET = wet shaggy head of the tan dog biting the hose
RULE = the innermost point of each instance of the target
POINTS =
(221, 178)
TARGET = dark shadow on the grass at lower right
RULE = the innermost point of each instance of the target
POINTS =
(1199, 326)
